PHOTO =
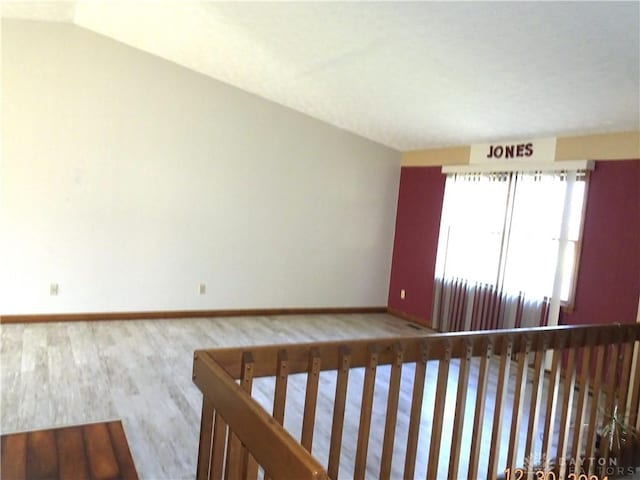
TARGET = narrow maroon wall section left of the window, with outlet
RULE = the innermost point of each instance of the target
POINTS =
(416, 241)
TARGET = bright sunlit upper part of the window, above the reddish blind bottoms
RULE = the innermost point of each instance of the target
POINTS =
(514, 233)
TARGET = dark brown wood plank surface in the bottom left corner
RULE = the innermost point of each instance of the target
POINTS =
(93, 451)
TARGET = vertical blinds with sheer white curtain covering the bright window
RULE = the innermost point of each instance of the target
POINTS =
(506, 252)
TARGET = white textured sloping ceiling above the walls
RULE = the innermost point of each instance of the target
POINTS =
(410, 75)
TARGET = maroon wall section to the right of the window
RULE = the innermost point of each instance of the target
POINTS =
(608, 282)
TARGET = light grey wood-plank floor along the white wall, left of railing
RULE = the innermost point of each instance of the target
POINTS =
(60, 374)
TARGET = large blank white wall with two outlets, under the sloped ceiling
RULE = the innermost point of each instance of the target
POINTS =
(129, 180)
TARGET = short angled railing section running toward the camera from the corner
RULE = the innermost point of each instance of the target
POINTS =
(234, 428)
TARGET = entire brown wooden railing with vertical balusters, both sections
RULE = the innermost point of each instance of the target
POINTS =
(553, 417)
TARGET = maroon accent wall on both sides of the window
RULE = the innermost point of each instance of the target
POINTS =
(608, 282)
